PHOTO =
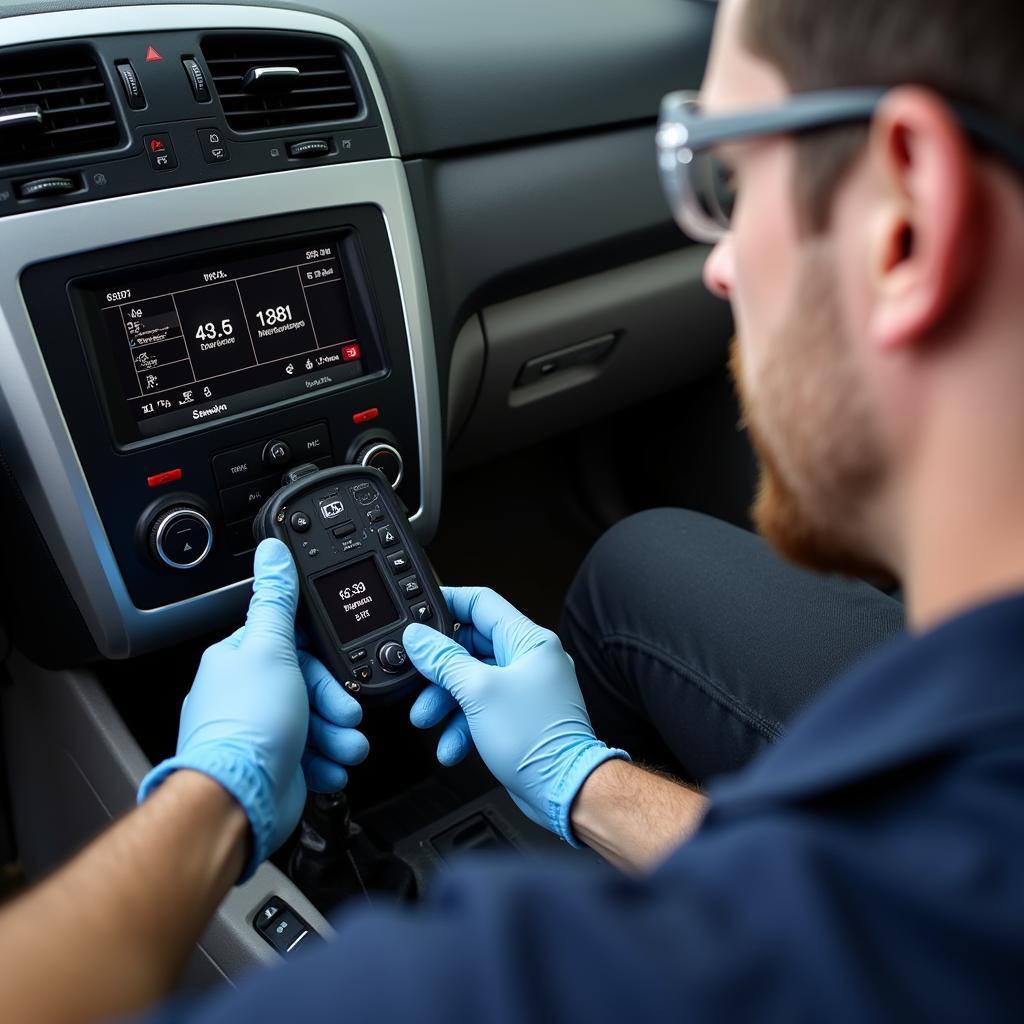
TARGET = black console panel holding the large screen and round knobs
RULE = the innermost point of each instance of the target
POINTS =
(210, 363)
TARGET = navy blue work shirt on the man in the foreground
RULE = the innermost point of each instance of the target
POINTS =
(868, 868)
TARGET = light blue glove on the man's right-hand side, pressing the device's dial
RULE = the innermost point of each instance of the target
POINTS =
(521, 704)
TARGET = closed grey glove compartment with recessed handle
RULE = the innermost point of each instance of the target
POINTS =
(553, 361)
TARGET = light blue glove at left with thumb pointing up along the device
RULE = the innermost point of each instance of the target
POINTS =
(247, 720)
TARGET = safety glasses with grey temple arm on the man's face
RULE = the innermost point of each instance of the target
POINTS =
(699, 186)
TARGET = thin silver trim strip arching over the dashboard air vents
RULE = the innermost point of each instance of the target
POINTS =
(178, 18)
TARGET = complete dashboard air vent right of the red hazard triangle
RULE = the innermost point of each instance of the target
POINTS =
(280, 81)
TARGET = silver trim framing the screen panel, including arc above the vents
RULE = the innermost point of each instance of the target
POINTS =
(33, 430)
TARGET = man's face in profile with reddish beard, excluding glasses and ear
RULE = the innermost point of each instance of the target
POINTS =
(798, 372)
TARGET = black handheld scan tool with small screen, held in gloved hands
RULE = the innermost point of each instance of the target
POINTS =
(363, 576)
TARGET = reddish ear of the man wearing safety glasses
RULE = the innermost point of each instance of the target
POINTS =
(924, 237)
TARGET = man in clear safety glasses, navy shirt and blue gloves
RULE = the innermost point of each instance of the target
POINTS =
(868, 866)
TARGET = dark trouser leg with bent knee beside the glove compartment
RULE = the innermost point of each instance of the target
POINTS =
(696, 645)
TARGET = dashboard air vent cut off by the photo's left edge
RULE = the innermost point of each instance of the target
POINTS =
(54, 103)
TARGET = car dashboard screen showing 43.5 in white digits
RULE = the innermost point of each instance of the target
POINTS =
(188, 345)
